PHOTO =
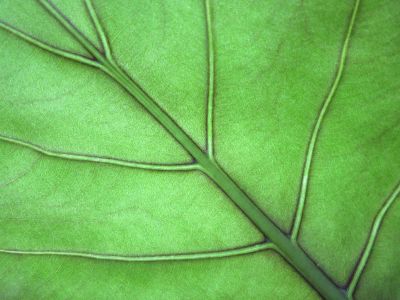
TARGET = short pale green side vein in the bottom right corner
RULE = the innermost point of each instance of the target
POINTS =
(371, 240)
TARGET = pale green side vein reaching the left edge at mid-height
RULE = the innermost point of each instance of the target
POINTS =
(99, 159)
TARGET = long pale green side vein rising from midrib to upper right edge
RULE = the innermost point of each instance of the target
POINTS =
(317, 127)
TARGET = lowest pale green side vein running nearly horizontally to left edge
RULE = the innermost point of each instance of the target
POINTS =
(150, 258)
